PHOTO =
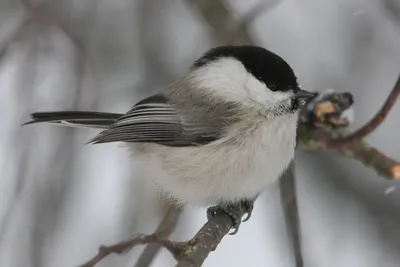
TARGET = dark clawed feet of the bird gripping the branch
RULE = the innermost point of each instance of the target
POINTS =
(232, 209)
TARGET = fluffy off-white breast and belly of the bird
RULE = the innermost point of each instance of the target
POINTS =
(225, 170)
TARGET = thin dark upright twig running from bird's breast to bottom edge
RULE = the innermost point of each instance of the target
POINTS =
(287, 184)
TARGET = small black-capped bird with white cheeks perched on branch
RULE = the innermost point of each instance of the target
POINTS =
(217, 136)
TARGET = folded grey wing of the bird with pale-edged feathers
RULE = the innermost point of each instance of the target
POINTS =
(156, 120)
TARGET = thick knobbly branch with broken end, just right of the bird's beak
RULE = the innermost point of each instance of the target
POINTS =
(321, 122)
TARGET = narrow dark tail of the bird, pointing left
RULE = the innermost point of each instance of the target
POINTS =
(86, 119)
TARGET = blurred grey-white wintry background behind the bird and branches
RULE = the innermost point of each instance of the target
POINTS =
(61, 199)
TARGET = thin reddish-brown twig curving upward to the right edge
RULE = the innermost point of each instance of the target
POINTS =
(373, 123)
